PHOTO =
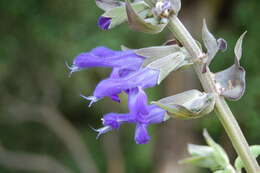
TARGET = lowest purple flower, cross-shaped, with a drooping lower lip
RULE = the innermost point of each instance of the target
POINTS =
(140, 113)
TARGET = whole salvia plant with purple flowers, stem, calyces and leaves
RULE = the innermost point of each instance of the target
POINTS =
(134, 70)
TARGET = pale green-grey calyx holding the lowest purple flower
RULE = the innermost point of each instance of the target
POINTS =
(188, 105)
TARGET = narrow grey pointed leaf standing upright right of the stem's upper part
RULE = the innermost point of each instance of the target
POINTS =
(210, 43)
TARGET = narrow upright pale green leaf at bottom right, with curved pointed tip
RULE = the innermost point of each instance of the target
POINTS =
(218, 152)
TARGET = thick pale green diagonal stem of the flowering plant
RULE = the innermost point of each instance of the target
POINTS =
(222, 109)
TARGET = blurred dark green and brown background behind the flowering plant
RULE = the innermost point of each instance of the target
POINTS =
(45, 125)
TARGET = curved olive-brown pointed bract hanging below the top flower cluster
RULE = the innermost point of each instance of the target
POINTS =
(139, 24)
